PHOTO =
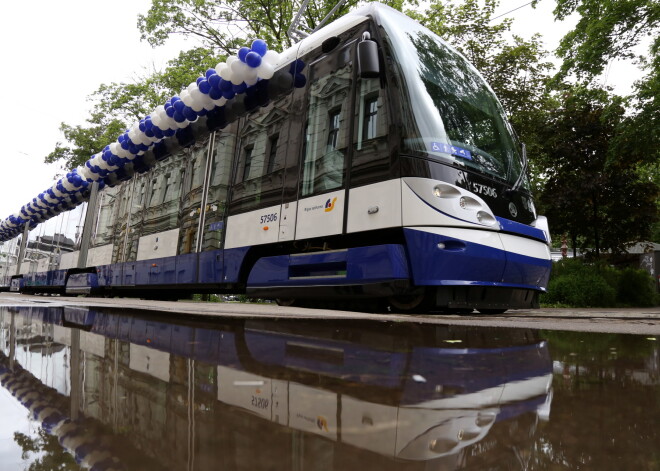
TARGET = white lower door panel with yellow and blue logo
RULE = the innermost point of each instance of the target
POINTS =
(320, 215)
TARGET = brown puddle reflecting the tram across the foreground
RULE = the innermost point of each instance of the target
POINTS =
(109, 390)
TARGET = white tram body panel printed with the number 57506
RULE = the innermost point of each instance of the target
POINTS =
(253, 228)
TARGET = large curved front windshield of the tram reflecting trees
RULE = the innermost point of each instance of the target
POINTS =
(454, 115)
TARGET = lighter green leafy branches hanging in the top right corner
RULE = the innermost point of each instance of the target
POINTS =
(609, 30)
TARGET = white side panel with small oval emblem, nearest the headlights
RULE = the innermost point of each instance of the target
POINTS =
(374, 206)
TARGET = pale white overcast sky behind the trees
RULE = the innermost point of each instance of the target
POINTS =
(56, 53)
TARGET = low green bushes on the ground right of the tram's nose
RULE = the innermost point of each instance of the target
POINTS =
(574, 283)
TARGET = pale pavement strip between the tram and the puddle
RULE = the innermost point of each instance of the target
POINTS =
(639, 321)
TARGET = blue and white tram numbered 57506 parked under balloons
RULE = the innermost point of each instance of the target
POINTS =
(374, 164)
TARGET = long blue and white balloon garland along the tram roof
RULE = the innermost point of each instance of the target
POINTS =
(238, 75)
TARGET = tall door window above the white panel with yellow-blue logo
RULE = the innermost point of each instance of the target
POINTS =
(327, 126)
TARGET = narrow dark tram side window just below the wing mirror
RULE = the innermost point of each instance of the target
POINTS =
(371, 157)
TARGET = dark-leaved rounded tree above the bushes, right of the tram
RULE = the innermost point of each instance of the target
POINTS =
(596, 199)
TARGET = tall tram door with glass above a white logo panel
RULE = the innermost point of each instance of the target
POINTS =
(322, 184)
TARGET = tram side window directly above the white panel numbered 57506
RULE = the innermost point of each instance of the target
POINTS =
(263, 146)
